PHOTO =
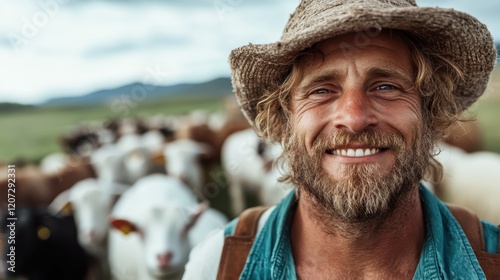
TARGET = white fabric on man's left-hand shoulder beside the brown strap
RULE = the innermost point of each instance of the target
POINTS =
(204, 258)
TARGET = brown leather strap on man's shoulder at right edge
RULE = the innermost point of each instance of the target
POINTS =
(473, 229)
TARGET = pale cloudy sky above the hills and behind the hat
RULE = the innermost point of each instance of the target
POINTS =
(52, 48)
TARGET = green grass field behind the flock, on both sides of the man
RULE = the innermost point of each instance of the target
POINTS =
(32, 134)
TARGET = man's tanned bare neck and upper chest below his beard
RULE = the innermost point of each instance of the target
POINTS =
(380, 248)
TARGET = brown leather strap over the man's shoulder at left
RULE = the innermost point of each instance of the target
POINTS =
(237, 247)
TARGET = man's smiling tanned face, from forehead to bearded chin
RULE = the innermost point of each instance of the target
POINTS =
(356, 140)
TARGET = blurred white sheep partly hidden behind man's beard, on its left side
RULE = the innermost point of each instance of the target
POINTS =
(248, 162)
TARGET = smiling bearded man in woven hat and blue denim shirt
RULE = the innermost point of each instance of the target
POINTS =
(358, 93)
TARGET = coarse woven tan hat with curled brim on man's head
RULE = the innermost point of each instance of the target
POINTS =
(260, 68)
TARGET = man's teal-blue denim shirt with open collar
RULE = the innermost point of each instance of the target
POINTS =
(447, 253)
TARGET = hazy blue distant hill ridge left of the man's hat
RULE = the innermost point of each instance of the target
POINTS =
(217, 87)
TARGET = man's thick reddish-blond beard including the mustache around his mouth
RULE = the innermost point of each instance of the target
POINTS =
(363, 195)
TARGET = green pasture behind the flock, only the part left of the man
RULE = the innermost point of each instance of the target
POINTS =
(28, 135)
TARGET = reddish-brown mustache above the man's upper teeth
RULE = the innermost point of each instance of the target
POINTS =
(369, 137)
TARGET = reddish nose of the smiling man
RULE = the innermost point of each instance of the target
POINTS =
(354, 111)
